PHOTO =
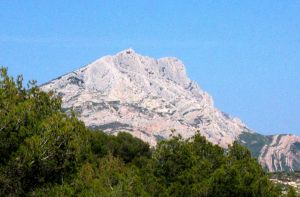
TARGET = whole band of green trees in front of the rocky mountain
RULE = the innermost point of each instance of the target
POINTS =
(44, 152)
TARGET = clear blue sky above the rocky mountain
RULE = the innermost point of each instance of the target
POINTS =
(246, 54)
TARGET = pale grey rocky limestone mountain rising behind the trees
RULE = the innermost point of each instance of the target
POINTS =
(154, 99)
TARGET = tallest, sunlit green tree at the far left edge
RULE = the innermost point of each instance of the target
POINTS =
(39, 144)
